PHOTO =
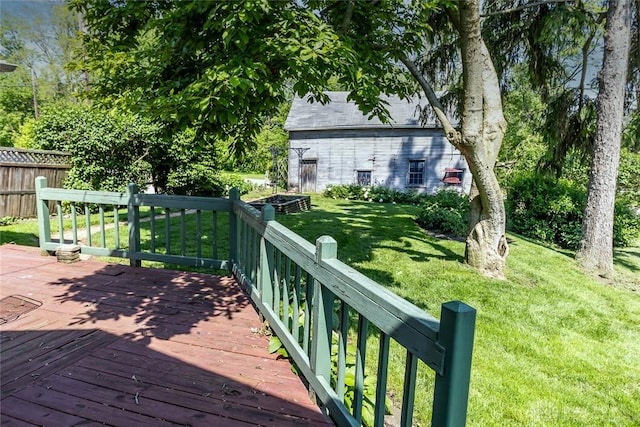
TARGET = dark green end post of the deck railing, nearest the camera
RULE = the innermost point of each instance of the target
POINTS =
(451, 395)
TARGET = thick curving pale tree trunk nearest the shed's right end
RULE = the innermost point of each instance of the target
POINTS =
(483, 127)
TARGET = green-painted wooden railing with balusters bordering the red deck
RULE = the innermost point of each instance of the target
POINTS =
(324, 312)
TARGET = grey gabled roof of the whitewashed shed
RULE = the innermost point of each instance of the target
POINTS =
(343, 114)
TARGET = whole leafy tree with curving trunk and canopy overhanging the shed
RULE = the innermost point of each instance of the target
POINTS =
(217, 66)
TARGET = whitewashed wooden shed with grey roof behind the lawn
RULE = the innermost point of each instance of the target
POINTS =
(336, 143)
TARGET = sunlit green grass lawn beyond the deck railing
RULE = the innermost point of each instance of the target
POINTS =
(553, 346)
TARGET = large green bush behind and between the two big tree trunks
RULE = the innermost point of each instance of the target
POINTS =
(551, 210)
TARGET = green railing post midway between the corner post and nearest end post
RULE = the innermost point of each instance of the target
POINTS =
(322, 315)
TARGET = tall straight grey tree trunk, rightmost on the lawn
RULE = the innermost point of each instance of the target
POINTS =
(595, 253)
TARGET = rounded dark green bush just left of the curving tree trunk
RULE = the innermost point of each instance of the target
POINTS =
(445, 212)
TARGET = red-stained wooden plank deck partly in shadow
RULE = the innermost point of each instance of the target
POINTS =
(115, 345)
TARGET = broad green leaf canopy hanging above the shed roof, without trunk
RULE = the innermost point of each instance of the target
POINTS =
(237, 61)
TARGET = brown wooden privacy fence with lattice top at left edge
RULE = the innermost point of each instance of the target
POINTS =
(18, 169)
